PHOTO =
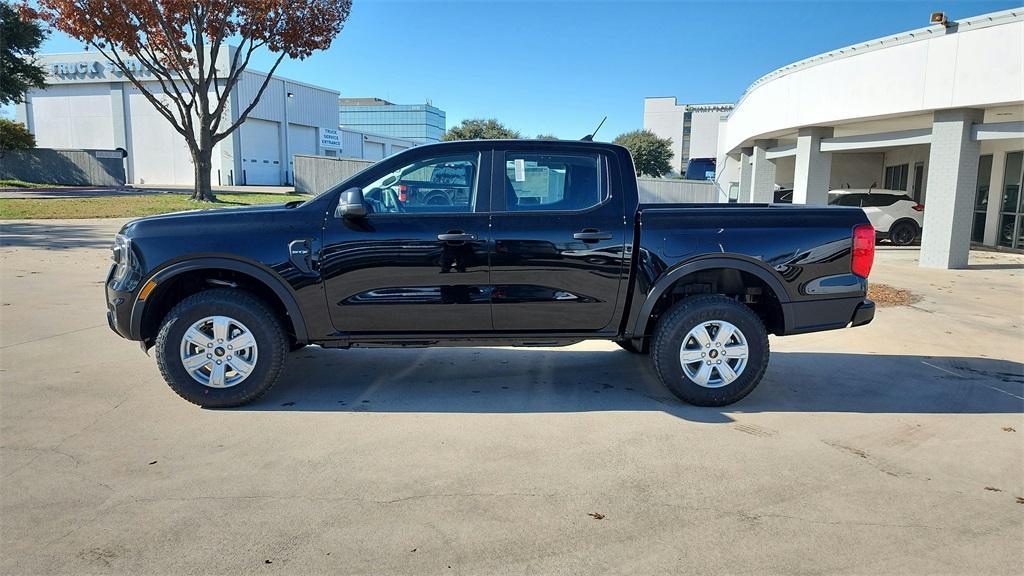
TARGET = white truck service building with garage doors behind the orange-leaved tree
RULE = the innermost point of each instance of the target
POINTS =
(89, 104)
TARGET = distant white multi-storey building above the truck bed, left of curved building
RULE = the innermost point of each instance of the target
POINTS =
(693, 129)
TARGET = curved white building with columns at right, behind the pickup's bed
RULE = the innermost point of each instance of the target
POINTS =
(938, 112)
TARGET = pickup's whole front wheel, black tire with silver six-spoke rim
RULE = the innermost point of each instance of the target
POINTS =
(221, 348)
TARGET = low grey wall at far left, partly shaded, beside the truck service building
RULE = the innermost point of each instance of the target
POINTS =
(68, 168)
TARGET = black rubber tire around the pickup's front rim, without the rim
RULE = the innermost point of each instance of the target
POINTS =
(245, 308)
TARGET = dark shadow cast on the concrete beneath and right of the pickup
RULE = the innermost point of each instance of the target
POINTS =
(525, 381)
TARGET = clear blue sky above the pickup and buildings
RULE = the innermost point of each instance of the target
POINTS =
(561, 67)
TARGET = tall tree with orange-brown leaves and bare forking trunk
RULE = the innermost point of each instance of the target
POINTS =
(179, 45)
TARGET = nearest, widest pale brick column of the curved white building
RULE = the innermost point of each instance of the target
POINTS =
(953, 180)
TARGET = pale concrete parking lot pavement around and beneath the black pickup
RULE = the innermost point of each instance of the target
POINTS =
(893, 448)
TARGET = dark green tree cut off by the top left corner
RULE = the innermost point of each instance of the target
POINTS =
(19, 42)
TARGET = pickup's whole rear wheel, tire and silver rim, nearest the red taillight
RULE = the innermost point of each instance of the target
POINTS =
(710, 351)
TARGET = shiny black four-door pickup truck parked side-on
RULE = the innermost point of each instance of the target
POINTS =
(548, 245)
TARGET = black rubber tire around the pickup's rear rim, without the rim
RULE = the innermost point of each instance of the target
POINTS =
(674, 327)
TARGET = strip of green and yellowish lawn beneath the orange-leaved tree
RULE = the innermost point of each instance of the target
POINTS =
(127, 205)
